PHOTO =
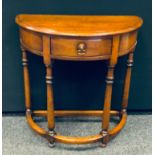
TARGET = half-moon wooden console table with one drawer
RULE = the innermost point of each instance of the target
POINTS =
(78, 38)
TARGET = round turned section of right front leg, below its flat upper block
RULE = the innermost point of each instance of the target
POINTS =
(107, 105)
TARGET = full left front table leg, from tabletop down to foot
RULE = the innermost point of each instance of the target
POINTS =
(50, 102)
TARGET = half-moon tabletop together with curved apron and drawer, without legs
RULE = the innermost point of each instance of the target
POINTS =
(69, 33)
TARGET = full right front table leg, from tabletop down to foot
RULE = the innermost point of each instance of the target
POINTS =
(108, 91)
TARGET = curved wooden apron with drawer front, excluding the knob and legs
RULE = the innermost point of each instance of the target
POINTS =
(98, 48)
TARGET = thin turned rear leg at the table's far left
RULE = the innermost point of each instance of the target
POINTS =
(26, 81)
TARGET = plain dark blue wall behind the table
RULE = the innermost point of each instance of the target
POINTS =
(77, 85)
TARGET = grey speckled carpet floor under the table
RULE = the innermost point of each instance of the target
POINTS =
(134, 139)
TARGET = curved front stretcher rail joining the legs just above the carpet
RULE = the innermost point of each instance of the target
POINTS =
(76, 140)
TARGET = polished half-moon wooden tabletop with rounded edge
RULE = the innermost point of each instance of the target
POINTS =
(73, 25)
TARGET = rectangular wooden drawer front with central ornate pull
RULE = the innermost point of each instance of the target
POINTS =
(71, 47)
